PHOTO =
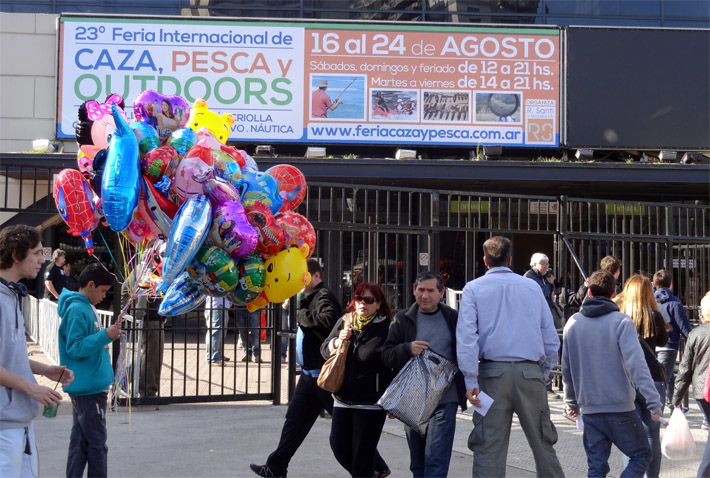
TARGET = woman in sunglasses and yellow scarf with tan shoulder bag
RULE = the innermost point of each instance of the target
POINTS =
(357, 422)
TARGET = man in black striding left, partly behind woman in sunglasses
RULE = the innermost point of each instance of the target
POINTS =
(318, 312)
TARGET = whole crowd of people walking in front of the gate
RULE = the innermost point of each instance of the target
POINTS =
(504, 340)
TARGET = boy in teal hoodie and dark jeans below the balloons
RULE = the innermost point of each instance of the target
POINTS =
(83, 347)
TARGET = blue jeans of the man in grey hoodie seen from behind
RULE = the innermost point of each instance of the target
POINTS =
(623, 429)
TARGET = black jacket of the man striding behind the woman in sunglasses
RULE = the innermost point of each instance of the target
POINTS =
(317, 314)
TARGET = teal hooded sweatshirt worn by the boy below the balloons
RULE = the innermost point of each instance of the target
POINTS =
(83, 345)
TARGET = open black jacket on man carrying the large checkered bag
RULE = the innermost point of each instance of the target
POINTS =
(403, 331)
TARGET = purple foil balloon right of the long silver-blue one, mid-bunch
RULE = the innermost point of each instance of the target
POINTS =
(231, 230)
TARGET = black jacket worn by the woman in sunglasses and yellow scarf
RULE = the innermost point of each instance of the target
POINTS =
(366, 377)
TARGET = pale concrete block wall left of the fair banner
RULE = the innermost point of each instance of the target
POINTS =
(28, 79)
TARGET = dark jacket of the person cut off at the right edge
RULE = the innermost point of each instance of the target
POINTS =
(694, 364)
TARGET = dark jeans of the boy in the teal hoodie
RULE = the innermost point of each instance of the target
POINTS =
(87, 442)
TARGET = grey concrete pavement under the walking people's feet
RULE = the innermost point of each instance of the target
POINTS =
(221, 439)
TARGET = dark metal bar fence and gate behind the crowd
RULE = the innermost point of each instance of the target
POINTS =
(388, 235)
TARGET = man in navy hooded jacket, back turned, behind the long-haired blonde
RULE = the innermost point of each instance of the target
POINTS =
(674, 313)
